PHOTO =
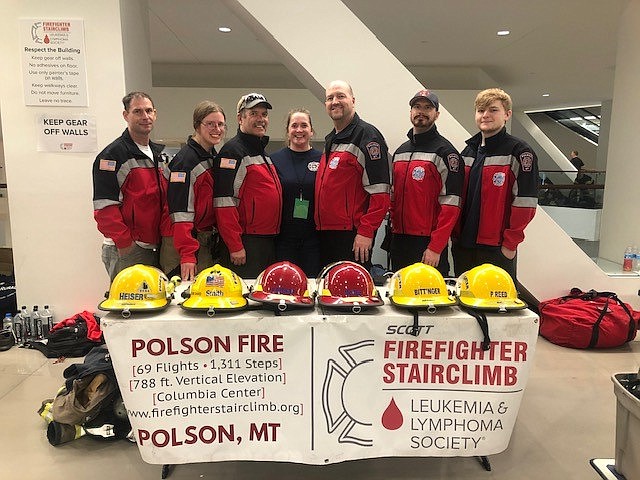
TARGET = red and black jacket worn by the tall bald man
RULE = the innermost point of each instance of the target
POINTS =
(353, 180)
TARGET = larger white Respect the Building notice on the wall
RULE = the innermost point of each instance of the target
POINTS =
(53, 62)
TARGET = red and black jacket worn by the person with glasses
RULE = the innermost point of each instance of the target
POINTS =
(190, 197)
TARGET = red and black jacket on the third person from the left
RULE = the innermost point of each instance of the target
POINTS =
(248, 195)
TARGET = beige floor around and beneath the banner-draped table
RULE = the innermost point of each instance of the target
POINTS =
(567, 417)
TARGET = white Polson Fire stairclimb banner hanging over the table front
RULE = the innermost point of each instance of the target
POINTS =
(319, 390)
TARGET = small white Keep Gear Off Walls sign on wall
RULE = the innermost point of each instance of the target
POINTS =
(67, 133)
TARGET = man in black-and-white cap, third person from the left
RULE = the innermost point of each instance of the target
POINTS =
(247, 192)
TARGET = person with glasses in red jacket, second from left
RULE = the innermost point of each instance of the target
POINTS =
(190, 197)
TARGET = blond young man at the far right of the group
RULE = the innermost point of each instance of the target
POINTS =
(500, 194)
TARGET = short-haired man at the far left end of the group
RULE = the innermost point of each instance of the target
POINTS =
(128, 190)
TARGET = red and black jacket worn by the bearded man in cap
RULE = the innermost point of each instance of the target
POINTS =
(428, 176)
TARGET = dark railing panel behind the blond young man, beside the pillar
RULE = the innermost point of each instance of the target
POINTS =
(561, 188)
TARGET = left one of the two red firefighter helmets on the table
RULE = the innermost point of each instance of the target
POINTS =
(282, 284)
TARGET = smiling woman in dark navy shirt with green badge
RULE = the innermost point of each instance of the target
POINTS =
(297, 165)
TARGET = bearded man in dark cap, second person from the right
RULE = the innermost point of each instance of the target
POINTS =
(427, 185)
